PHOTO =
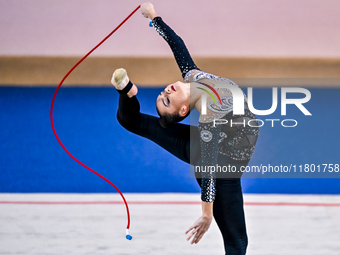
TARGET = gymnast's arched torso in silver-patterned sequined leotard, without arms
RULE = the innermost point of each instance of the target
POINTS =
(236, 139)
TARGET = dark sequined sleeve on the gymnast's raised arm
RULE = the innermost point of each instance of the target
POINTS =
(180, 51)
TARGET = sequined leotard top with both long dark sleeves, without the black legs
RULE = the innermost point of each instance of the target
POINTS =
(236, 142)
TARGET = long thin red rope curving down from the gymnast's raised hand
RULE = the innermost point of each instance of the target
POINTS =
(51, 113)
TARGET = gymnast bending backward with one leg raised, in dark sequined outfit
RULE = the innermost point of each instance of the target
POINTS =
(205, 145)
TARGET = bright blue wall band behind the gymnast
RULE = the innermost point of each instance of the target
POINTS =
(85, 118)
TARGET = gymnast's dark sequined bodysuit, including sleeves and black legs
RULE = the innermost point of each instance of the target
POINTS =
(230, 145)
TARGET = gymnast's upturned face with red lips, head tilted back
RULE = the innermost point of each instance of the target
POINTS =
(175, 98)
